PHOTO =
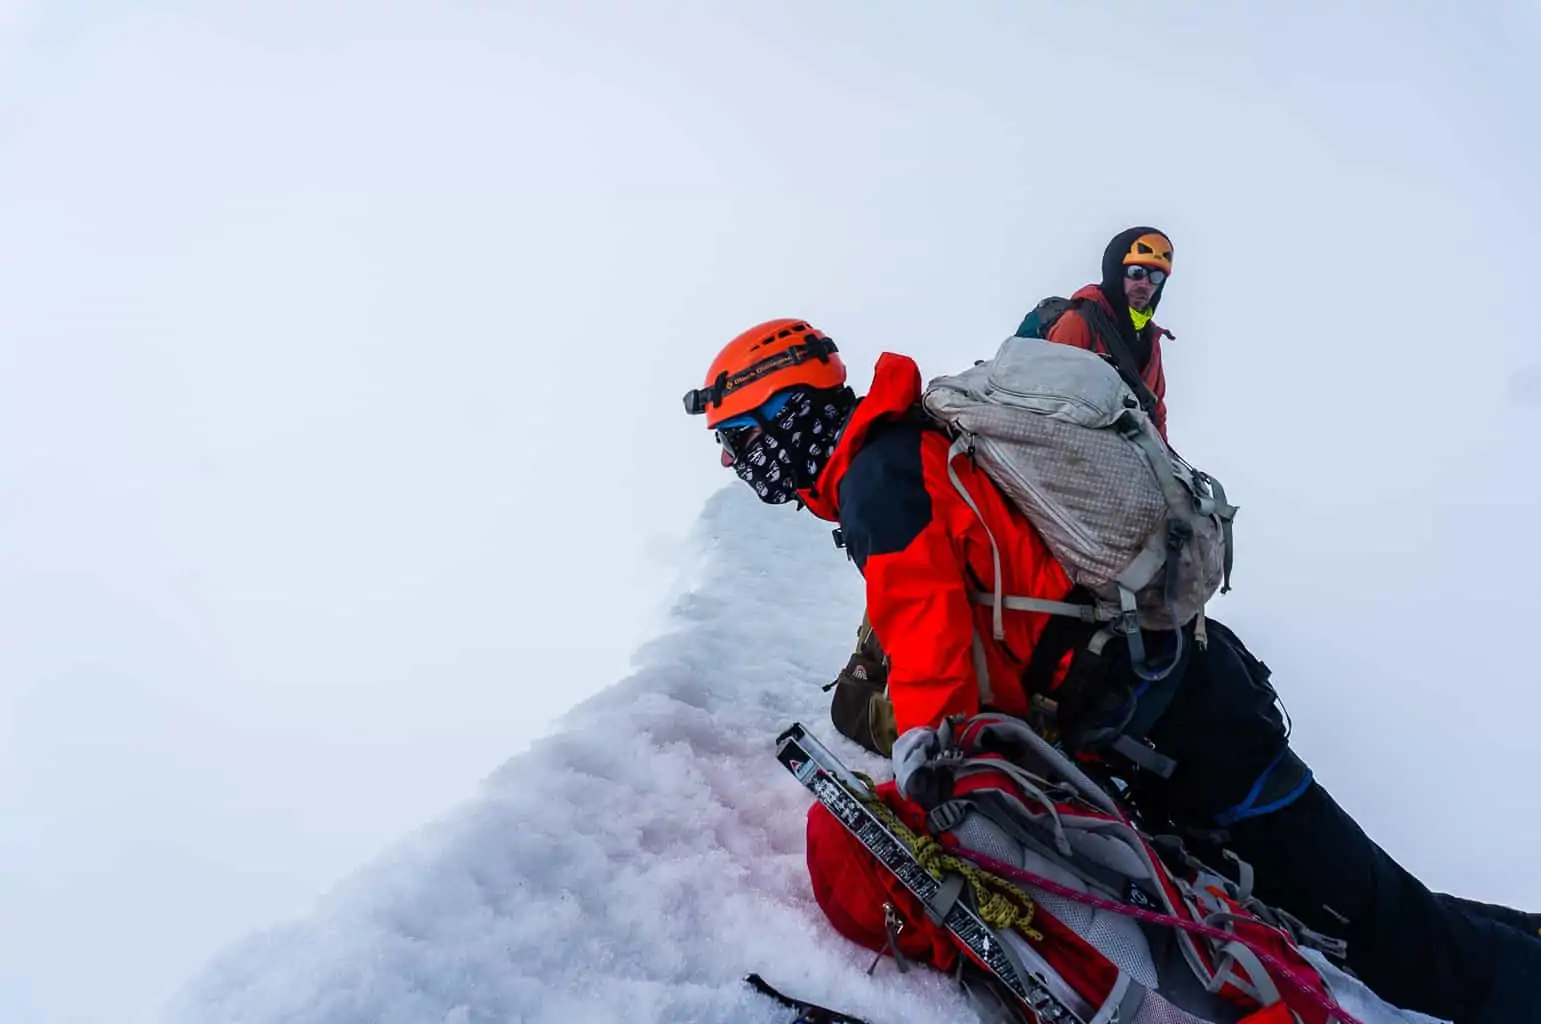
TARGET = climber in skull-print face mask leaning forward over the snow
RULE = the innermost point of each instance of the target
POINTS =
(1210, 752)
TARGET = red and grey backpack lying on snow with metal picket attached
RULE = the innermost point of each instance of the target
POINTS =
(1030, 883)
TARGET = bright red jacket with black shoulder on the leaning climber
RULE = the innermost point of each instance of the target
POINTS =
(922, 550)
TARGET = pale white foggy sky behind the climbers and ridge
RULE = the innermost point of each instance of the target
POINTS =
(341, 353)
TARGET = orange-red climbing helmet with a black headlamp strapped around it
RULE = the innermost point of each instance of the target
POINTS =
(760, 363)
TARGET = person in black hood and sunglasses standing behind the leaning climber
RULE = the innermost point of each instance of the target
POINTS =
(1115, 316)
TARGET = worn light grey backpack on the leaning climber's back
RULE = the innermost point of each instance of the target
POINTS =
(1066, 440)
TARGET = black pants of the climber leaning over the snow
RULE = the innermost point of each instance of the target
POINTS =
(1455, 960)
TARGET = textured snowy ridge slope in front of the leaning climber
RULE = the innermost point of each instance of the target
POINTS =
(637, 863)
